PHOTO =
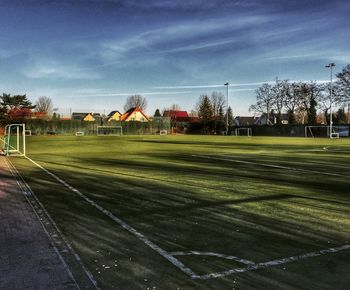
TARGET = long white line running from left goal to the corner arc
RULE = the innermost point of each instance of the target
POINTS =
(123, 224)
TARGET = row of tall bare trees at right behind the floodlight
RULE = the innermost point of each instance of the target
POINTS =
(302, 100)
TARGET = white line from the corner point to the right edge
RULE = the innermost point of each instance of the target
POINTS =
(273, 263)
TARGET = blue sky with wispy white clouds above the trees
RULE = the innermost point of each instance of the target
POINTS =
(90, 55)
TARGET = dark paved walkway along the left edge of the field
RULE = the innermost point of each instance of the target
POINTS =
(28, 260)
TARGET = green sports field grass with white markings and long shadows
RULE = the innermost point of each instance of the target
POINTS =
(200, 212)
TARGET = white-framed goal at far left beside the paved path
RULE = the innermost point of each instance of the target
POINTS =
(14, 142)
